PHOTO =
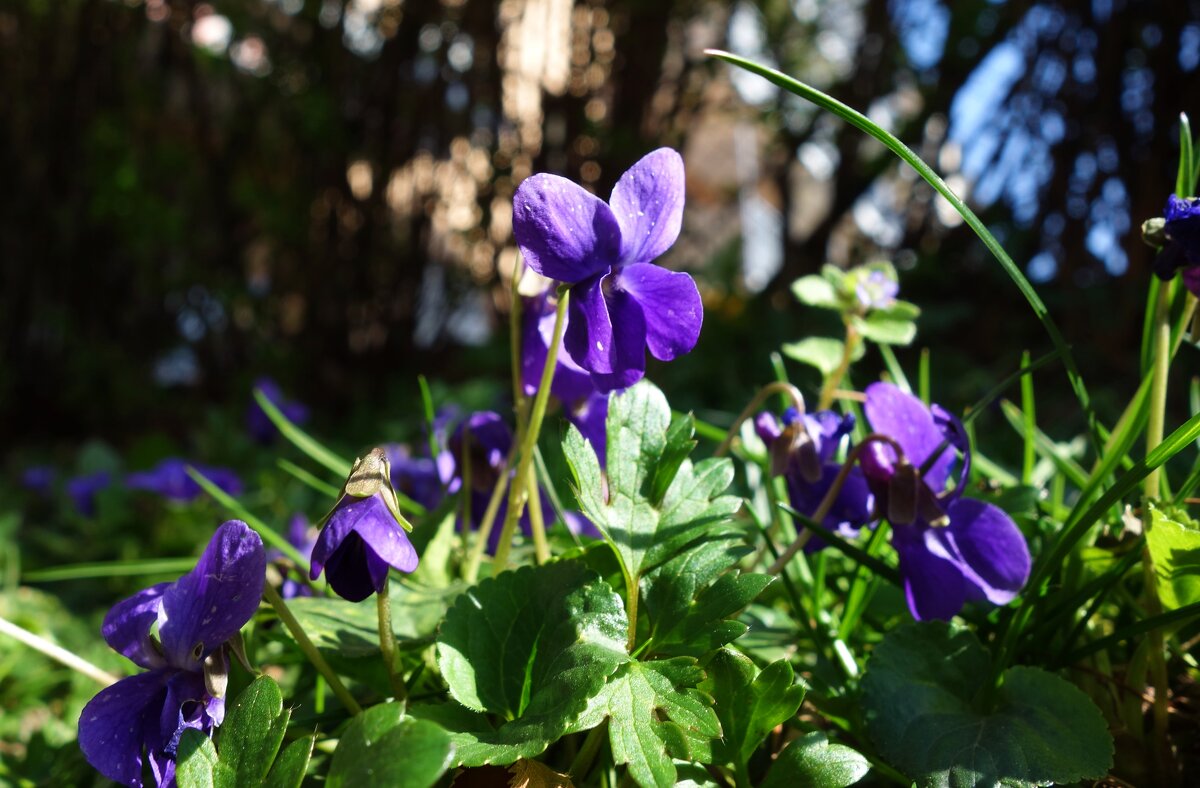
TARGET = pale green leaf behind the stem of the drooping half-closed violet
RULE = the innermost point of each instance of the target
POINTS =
(352, 629)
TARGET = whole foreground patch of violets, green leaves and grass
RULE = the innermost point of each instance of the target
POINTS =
(841, 587)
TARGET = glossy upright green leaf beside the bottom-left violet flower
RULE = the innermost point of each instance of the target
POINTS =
(248, 745)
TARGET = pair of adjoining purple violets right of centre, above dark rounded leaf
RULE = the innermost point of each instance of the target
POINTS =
(953, 550)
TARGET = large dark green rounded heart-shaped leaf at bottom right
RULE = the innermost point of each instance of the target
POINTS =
(921, 693)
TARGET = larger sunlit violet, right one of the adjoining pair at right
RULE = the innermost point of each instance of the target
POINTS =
(952, 550)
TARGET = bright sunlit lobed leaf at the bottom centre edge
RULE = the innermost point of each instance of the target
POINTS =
(657, 715)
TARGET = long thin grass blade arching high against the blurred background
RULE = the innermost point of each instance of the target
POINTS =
(868, 127)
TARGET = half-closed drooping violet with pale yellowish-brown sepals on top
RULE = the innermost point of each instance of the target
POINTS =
(365, 536)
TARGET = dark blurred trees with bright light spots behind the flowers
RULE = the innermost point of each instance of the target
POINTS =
(320, 190)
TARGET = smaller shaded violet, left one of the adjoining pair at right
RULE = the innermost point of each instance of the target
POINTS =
(802, 450)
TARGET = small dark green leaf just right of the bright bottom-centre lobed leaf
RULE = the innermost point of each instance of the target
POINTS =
(749, 703)
